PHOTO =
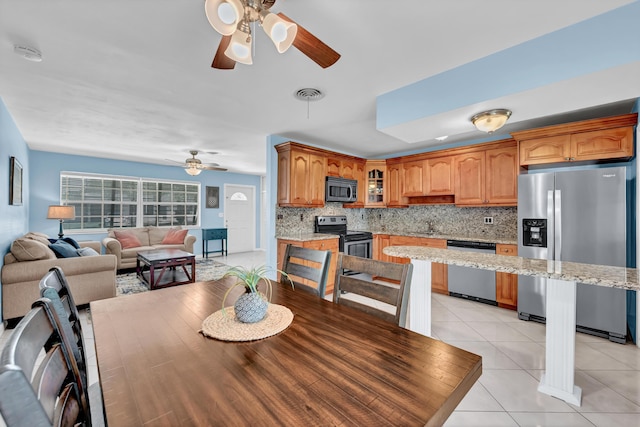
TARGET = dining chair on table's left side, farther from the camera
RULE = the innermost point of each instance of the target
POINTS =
(57, 294)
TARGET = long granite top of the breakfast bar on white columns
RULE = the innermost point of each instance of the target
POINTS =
(614, 277)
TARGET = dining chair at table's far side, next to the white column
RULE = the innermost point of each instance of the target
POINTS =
(359, 281)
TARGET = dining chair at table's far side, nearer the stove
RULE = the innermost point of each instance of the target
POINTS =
(310, 265)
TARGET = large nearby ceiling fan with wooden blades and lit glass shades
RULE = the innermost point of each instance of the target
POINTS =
(232, 19)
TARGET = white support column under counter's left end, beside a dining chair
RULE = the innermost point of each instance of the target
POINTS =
(419, 310)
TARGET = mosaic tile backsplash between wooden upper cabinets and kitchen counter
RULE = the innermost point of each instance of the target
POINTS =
(444, 219)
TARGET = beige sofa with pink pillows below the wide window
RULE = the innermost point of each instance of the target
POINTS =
(150, 238)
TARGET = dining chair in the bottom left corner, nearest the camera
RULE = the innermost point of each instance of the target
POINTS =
(38, 375)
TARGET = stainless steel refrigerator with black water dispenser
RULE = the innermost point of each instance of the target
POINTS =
(577, 216)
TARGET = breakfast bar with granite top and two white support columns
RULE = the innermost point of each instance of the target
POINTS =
(562, 279)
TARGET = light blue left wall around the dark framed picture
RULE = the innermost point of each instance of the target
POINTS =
(14, 220)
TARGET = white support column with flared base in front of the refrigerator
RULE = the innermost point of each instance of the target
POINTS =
(558, 379)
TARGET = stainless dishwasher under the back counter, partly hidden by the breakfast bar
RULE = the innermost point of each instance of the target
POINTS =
(472, 283)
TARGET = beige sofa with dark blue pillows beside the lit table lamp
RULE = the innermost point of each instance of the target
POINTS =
(90, 277)
